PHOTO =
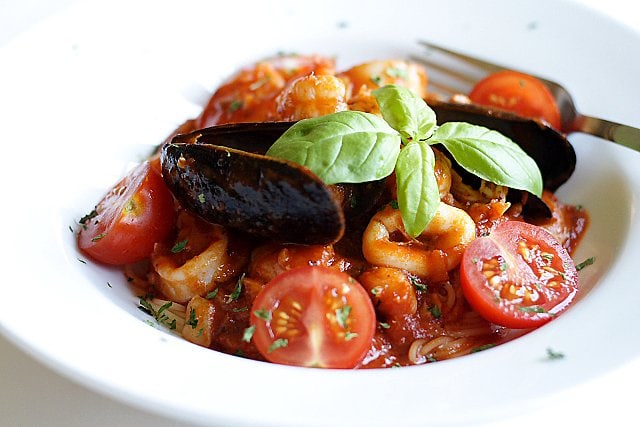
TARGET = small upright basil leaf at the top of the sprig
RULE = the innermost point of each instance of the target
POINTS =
(406, 112)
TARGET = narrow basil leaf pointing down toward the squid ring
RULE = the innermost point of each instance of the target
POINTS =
(418, 195)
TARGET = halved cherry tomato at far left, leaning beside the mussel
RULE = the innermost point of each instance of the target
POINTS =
(130, 219)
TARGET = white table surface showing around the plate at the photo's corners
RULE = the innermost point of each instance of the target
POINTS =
(32, 394)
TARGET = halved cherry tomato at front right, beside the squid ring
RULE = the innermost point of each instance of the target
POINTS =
(519, 276)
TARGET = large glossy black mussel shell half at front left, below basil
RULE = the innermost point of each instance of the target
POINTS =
(261, 196)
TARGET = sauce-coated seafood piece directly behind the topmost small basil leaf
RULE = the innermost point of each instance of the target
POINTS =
(362, 79)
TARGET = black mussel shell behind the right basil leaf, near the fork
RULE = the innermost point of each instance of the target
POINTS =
(551, 151)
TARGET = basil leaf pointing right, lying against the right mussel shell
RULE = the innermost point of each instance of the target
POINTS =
(490, 155)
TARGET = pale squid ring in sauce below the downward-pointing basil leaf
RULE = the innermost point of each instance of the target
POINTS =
(432, 255)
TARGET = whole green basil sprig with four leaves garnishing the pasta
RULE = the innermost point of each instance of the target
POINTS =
(352, 146)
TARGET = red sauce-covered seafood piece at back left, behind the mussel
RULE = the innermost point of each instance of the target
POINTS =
(250, 95)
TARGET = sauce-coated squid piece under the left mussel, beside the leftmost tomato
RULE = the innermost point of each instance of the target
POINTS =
(202, 258)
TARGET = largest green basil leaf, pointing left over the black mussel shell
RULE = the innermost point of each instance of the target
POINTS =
(348, 146)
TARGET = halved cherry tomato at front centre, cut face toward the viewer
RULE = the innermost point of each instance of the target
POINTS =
(313, 316)
